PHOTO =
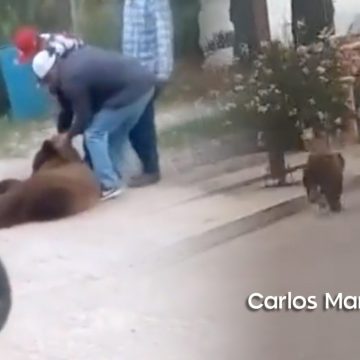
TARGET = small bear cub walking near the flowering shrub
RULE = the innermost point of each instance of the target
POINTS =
(323, 178)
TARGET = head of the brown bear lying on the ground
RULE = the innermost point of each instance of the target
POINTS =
(51, 155)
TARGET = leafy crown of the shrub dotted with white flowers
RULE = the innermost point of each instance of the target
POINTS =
(288, 89)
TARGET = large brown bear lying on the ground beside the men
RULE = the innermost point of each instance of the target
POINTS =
(61, 185)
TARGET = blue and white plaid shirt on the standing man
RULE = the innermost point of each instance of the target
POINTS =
(148, 35)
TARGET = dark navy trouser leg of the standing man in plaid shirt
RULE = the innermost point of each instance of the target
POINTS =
(143, 138)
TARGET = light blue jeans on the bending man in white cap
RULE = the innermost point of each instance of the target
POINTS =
(106, 136)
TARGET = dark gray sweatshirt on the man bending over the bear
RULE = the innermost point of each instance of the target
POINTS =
(91, 79)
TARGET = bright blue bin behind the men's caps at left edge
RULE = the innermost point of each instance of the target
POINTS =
(27, 100)
